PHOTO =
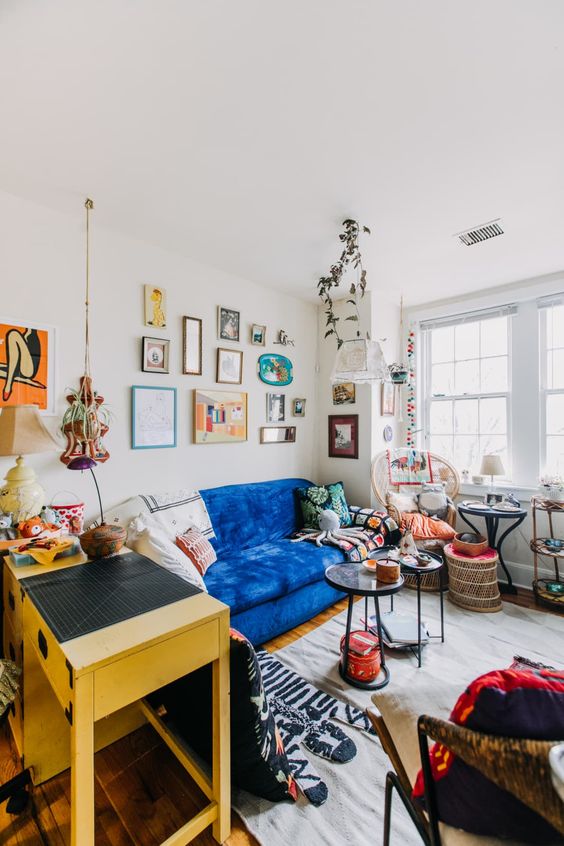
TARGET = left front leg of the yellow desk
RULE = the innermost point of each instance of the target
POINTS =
(82, 763)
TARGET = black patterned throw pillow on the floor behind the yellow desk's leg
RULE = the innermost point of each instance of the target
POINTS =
(258, 759)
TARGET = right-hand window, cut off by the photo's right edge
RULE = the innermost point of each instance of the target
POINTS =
(552, 381)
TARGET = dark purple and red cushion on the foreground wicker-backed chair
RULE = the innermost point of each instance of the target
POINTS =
(507, 703)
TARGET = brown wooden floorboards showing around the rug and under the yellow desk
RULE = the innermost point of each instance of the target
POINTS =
(142, 792)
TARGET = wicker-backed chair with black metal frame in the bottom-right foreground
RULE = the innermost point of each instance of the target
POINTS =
(519, 766)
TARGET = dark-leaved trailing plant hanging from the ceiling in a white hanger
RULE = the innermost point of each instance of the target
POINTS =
(350, 256)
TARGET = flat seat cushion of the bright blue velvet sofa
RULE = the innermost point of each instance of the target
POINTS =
(273, 569)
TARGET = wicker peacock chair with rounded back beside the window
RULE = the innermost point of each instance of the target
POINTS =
(443, 471)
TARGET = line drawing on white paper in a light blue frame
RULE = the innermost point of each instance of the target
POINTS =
(153, 417)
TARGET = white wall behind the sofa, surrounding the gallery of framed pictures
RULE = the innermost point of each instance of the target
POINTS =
(42, 281)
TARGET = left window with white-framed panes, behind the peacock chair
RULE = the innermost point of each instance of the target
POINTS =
(467, 388)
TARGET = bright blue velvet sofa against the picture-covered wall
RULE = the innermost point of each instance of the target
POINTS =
(270, 584)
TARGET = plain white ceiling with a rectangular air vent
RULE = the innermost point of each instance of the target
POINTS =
(242, 132)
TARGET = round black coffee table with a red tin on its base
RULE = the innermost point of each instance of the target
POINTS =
(354, 580)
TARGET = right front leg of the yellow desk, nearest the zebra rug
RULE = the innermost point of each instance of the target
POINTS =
(221, 761)
